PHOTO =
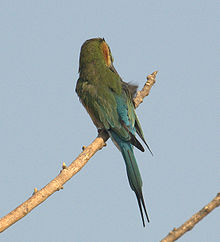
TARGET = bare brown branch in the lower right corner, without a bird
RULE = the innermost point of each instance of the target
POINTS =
(176, 233)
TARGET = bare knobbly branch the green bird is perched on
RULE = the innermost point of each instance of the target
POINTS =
(67, 172)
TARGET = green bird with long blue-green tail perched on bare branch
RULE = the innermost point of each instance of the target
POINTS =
(109, 102)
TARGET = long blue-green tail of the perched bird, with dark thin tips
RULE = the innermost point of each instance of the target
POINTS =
(134, 176)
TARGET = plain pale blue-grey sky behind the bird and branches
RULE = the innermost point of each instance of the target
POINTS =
(42, 122)
